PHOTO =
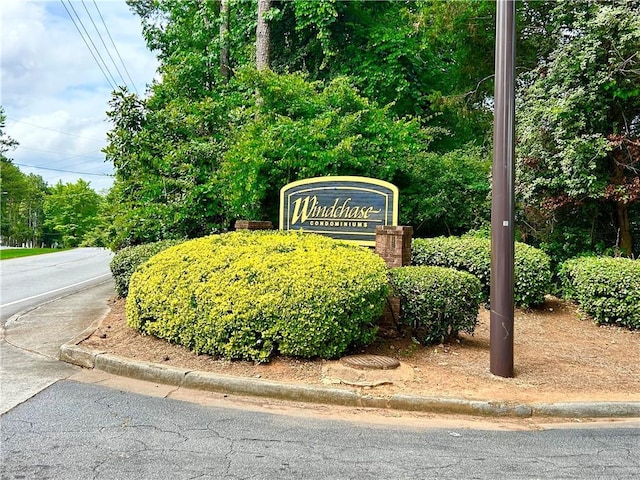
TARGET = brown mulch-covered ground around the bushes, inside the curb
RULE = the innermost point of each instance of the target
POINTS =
(558, 357)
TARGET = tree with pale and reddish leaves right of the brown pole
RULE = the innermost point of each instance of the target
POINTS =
(579, 131)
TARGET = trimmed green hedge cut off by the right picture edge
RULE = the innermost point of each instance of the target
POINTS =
(608, 289)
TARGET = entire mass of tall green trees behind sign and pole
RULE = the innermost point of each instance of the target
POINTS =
(400, 90)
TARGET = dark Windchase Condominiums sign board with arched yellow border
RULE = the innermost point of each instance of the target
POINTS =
(344, 208)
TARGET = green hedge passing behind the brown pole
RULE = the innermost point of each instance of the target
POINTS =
(532, 268)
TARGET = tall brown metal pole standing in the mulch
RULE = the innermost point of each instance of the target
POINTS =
(502, 209)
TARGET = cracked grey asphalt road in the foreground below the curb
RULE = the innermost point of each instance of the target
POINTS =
(79, 431)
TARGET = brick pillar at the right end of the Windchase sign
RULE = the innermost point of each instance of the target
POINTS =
(393, 244)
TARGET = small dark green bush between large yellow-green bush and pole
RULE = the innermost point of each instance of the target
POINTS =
(437, 302)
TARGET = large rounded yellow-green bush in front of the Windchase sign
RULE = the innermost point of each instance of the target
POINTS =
(250, 295)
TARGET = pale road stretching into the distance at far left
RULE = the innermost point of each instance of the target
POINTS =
(29, 281)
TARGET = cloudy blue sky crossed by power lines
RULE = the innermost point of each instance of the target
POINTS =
(54, 93)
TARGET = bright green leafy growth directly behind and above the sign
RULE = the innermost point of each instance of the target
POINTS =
(303, 129)
